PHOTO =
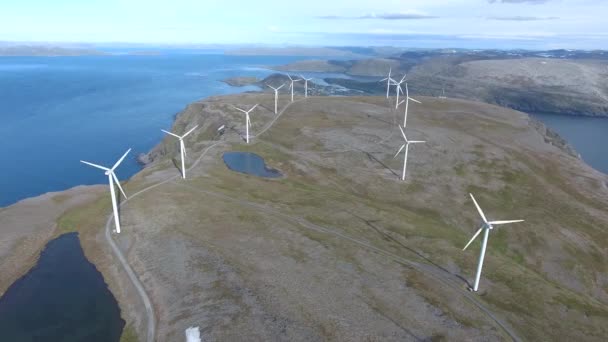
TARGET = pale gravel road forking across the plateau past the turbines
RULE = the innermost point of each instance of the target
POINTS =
(433, 271)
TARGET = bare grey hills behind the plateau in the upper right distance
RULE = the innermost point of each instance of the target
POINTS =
(556, 81)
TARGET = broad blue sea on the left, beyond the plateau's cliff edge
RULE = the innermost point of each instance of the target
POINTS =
(55, 111)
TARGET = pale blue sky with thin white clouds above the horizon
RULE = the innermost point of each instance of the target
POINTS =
(532, 24)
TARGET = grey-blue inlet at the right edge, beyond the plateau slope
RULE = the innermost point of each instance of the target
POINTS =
(588, 135)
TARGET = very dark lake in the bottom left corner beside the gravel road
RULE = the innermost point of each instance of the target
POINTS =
(62, 298)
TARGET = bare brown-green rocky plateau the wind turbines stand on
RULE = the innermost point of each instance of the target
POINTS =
(341, 249)
